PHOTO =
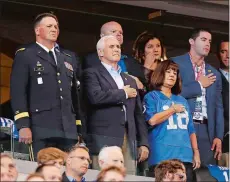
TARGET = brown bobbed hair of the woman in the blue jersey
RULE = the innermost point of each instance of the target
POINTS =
(158, 76)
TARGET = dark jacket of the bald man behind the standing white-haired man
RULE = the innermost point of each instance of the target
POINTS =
(133, 66)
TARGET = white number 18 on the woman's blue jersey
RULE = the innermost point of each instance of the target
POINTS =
(179, 116)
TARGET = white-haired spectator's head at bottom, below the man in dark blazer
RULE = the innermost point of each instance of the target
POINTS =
(111, 156)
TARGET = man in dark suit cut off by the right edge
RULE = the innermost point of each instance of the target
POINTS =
(223, 55)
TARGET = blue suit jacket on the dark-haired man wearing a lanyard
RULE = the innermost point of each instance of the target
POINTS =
(191, 89)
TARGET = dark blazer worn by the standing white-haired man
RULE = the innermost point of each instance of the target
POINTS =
(106, 116)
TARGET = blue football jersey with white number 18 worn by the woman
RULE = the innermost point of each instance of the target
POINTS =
(171, 138)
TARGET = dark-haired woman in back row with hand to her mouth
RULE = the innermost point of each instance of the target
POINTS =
(148, 50)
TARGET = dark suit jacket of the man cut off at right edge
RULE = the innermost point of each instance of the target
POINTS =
(225, 96)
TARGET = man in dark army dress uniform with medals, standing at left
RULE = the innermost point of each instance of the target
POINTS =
(44, 93)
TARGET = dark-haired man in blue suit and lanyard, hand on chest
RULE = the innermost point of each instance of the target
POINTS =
(201, 86)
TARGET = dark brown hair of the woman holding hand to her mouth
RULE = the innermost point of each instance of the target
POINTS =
(141, 41)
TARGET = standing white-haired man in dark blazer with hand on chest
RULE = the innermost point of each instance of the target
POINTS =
(114, 108)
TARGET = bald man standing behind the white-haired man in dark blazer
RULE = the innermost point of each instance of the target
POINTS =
(127, 64)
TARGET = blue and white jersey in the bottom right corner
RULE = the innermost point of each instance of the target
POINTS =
(218, 172)
